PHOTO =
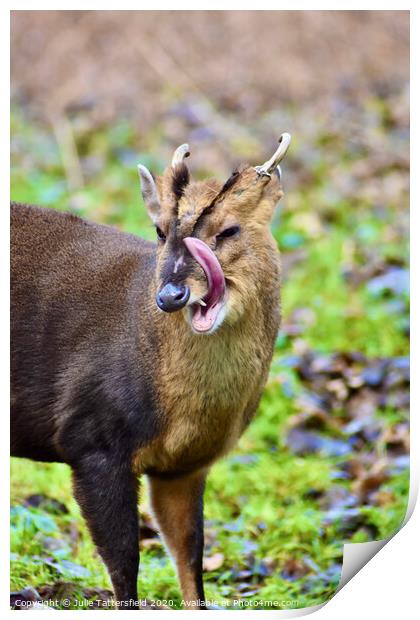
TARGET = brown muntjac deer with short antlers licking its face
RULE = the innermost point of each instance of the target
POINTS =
(131, 358)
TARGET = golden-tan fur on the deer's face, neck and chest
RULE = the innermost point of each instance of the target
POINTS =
(202, 376)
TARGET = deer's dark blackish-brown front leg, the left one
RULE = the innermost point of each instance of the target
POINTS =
(107, 492)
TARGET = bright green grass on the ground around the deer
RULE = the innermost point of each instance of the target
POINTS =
(259, 506)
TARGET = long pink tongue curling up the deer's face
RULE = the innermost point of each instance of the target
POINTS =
(211, 266)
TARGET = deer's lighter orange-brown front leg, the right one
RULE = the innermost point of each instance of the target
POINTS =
(178, 507)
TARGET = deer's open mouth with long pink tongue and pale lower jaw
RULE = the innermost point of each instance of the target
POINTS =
(205, 312)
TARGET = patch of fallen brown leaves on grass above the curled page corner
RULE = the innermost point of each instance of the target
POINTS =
(337, 416)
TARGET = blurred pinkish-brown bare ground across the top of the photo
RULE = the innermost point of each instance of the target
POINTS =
(139, 63)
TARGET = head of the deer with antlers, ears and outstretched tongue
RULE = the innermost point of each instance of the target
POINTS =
(214, 243)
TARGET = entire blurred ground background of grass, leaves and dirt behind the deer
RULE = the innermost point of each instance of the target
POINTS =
(326, 460)
